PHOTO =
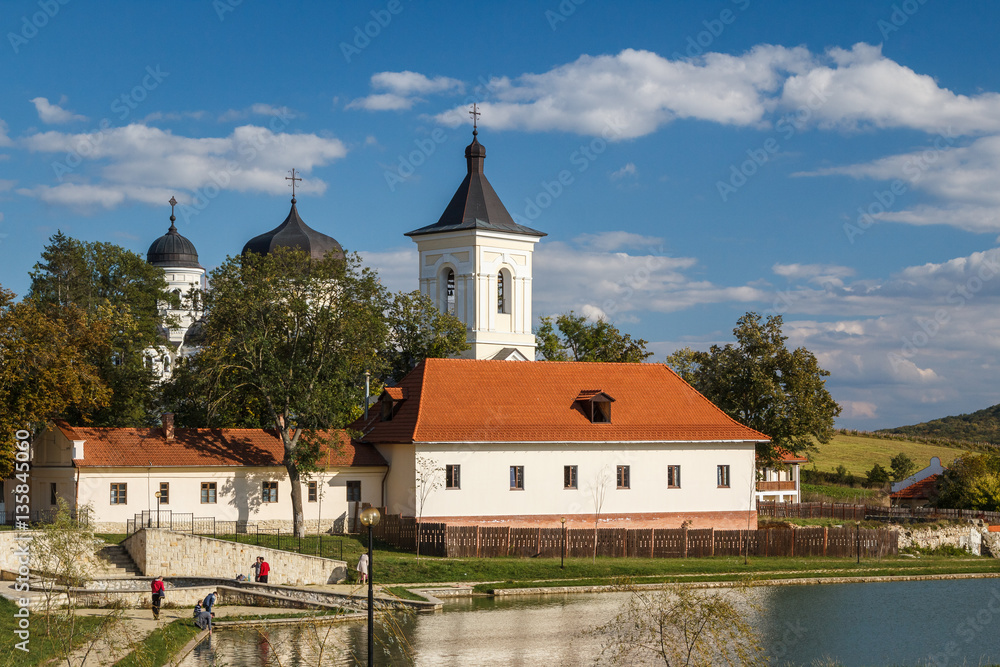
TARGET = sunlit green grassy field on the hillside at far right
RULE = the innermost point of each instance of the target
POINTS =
(859, 453)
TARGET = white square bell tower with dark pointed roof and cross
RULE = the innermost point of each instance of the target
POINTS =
(475, 262)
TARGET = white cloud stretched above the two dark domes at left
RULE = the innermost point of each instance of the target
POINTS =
(140, 163)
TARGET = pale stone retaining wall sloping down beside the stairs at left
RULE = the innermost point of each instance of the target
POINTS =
(171, 554)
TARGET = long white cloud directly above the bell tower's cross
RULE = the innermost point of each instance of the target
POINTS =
(634, 92)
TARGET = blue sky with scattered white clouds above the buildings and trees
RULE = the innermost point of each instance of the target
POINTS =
(836, 163)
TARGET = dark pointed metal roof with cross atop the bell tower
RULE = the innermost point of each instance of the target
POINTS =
(475, 204)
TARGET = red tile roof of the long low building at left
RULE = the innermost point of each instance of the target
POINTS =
(141, 447)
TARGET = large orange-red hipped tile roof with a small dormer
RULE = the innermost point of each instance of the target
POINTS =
(464, 400)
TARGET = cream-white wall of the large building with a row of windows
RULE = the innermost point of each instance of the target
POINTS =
(486, 491)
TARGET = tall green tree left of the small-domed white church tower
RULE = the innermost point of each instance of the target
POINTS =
(119, 287)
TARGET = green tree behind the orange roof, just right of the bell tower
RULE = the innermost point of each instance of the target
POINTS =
(572, 338)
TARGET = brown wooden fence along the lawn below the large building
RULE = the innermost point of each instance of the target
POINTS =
(442, 540)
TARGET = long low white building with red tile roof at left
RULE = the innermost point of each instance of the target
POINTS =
(229, 475)
